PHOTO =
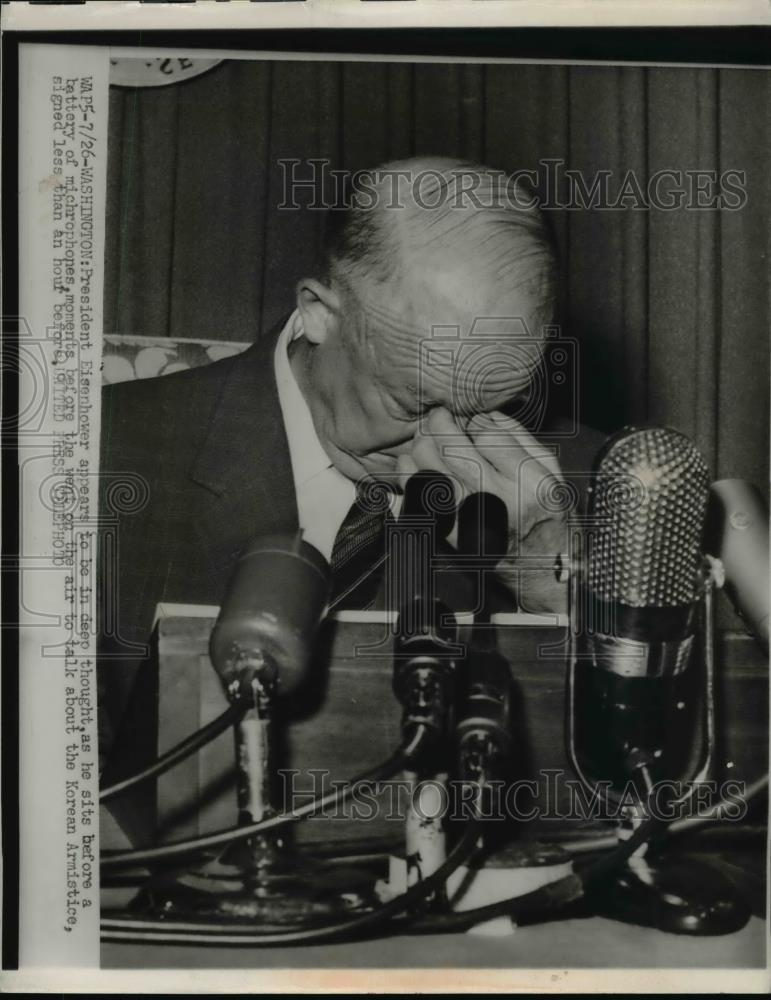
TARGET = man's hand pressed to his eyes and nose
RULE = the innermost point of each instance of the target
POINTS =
(496, 454)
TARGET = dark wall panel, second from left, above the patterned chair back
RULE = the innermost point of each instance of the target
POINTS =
(216, 262)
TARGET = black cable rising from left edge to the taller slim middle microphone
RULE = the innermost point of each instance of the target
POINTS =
(336, 797)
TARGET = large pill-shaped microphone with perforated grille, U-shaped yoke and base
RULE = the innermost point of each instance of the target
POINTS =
(649, 593)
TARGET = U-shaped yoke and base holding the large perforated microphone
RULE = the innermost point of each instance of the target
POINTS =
(682, 897)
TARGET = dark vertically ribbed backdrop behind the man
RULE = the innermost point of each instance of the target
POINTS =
(671, 308)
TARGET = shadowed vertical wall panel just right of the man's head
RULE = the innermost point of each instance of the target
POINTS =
(607, 245)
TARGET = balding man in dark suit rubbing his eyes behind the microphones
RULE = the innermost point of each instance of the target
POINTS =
(349, 387)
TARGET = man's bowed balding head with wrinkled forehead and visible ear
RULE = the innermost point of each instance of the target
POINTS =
(426, 249)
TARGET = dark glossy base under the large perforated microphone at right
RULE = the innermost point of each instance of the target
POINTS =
(677, 895)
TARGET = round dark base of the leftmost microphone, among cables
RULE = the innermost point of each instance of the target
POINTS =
(282, 892)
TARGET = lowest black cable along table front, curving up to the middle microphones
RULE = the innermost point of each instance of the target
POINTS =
(160, 930)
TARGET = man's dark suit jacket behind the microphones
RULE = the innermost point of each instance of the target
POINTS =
(193, 465)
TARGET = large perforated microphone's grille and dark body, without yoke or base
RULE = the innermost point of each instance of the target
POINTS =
(647, 508)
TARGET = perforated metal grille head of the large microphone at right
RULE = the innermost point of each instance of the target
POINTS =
(648, 503)
